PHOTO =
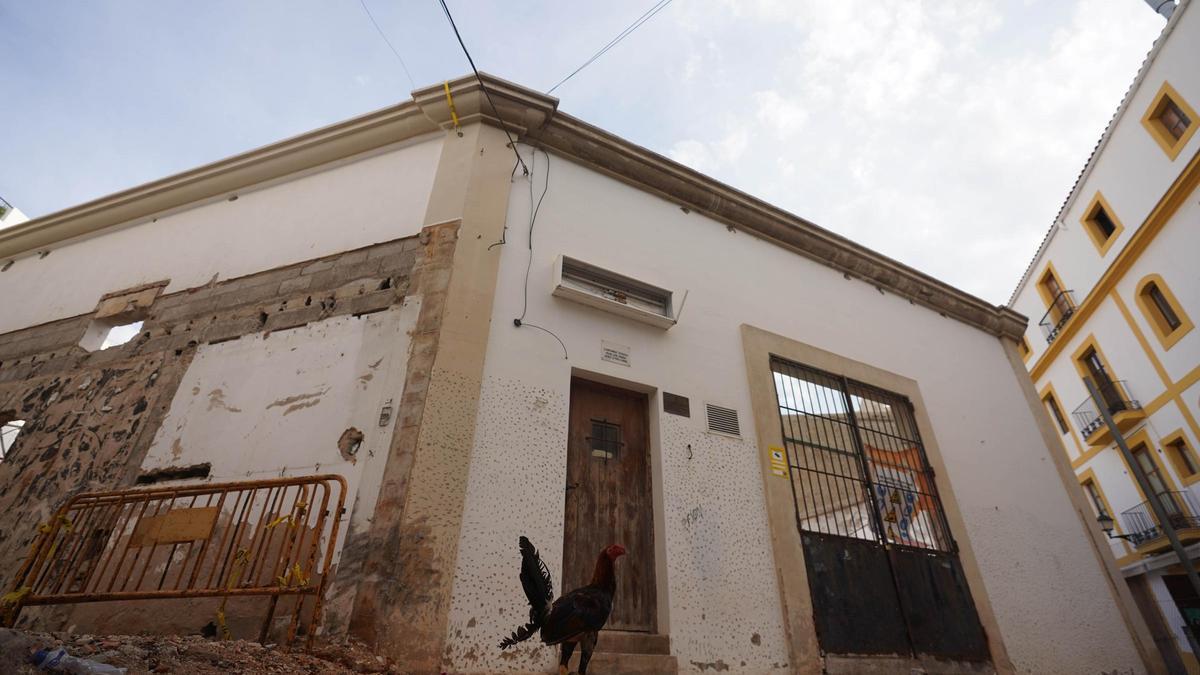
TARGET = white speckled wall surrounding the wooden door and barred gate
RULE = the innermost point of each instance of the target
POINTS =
(1039, 568)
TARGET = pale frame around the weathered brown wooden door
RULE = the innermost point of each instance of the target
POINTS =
(655, 451)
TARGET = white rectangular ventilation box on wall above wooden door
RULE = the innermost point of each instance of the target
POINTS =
(615, 294)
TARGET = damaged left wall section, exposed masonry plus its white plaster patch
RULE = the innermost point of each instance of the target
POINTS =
(280, 351)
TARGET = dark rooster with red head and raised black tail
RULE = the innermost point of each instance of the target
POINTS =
(573, 619)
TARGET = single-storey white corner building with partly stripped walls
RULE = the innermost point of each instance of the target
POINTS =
(820, 461)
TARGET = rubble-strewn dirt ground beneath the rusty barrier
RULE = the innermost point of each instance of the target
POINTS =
(187, 655)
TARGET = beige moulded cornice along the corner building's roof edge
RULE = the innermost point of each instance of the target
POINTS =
(533, 118)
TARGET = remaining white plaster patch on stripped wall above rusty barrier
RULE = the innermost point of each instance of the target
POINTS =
(275, 407)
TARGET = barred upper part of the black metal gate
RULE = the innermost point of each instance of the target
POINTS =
(859, 468)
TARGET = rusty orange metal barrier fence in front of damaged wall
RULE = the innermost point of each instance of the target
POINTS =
(225, 540)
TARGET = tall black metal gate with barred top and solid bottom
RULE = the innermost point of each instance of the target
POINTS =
(884, 569)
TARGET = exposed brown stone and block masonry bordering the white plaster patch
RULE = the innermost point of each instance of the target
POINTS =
(92, 416)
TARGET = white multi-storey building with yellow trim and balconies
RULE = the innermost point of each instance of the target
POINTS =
(1117, 288)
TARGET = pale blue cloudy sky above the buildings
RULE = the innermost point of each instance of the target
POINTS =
(945, 135)
